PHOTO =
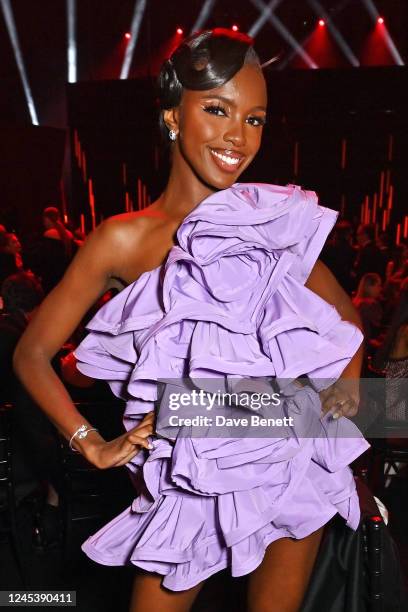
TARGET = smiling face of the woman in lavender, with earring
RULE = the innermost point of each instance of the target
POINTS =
(219, 130)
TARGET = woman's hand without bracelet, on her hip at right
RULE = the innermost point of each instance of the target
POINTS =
(342, 398)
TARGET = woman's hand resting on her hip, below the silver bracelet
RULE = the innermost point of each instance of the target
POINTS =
(121, 450)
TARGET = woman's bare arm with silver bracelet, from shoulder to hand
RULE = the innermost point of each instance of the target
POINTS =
(85, 280)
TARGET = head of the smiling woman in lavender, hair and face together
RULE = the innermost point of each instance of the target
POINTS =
(223, 79)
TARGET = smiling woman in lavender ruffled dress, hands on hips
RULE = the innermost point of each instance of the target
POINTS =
(210, 267)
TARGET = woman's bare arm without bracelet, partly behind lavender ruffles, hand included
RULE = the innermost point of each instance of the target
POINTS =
(322, 282)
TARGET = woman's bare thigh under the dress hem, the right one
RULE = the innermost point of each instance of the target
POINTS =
(279, 583)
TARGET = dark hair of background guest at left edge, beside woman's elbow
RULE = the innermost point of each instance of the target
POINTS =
(21, 291)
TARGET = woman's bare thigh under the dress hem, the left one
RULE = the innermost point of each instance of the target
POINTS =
(149, 596)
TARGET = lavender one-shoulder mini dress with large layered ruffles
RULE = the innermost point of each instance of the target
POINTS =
(228, 302)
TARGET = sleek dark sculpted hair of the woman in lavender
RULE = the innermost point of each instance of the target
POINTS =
(203, 61)
